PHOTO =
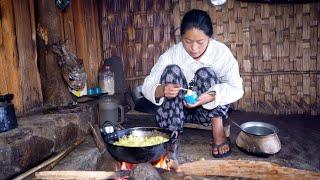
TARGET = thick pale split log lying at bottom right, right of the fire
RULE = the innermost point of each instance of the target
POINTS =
(245, 169)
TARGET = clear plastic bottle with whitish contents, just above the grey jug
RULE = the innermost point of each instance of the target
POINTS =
(106, 80)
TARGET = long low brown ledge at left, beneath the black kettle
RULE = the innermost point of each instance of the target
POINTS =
(40, 136)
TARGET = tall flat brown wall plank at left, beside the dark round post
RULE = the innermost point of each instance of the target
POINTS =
(27, 52)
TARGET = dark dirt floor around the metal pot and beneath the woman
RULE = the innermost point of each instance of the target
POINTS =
(299, 136)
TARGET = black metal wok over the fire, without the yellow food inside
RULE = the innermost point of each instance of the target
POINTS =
(137, 155)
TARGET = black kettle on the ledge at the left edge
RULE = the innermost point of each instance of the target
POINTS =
(8, 118)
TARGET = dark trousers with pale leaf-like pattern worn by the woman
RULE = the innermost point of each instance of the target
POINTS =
(172, 113)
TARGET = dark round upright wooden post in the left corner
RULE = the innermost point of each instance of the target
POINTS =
(55, 89)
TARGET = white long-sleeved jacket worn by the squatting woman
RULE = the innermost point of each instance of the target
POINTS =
(217, 56)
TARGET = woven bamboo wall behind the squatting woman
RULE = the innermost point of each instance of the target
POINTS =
(276, 45)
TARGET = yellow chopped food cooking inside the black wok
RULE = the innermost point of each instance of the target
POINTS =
(136, 141)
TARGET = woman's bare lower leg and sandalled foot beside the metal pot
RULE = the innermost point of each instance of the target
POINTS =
(221, 144)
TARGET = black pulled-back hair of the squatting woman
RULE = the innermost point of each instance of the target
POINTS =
(196, 18)
